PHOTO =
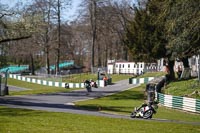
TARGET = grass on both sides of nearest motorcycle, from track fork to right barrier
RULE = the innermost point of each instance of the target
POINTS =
(124, 102)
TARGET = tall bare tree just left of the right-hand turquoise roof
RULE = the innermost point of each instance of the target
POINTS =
(44, 8)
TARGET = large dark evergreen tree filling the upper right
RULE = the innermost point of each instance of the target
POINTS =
(167, 29)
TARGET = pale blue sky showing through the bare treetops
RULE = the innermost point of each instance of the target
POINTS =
(69, 13)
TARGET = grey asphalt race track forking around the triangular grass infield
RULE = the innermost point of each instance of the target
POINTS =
(64, 102)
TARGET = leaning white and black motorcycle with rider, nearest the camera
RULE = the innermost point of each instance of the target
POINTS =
(145, 111)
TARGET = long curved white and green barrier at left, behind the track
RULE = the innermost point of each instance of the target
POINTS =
(45, 82)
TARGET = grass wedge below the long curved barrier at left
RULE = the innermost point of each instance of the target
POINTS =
(33, 88)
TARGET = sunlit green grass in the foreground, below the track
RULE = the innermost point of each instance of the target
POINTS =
(30, 121)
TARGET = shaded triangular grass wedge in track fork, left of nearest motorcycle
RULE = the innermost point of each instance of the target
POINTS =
(134, 97)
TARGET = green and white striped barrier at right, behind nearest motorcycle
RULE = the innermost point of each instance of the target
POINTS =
(182, 103)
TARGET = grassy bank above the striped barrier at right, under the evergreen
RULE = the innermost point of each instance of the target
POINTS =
(184, 88)
